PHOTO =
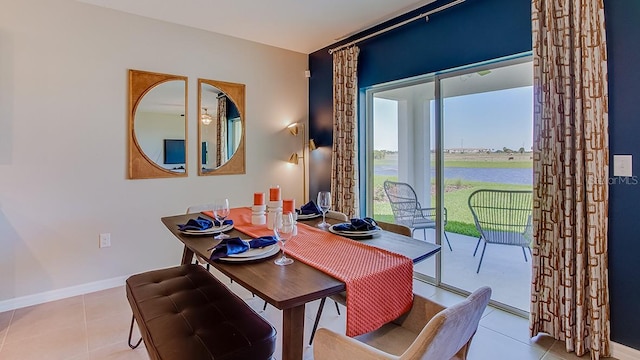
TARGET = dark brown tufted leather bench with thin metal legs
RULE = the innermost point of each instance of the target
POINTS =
(184, 312)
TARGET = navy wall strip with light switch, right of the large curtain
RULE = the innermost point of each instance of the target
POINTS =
(623, 48)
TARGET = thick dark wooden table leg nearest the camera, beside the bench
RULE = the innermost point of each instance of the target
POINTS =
(293, 333)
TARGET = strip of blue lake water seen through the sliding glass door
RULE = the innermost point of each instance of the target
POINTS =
(503, 176)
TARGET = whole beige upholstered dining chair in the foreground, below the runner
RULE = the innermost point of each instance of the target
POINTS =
(428, 331)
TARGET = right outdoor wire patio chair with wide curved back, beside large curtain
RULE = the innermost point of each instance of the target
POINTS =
(502, 217)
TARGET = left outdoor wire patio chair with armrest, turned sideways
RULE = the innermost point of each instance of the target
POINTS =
(407, 210)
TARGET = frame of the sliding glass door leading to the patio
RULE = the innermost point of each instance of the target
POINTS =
(366, 146)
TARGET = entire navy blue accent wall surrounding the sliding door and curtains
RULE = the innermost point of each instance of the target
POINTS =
(480, 30)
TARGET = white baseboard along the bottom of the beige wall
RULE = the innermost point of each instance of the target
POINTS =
(58, 294)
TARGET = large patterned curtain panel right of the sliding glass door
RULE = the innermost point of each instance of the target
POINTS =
(569, 294)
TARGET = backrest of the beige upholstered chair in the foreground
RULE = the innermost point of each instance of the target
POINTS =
(449, 332)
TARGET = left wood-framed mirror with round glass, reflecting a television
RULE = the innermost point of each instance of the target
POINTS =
(157, 125)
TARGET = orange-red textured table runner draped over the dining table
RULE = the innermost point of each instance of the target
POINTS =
(379, 283)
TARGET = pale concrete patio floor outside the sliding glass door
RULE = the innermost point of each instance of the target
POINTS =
(503, 268)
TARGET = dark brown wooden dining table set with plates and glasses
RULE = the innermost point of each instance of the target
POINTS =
(290, 287)
